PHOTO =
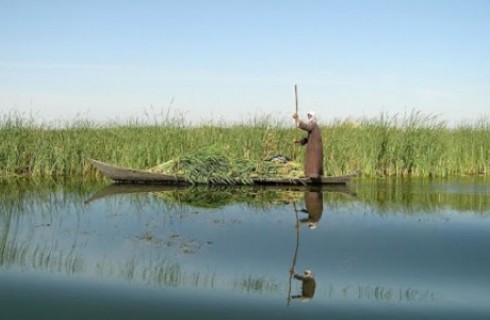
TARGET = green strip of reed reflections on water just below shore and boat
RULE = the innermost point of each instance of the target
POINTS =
(384, 196)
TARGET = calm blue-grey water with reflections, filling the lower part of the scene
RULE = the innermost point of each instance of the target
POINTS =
(377, 250)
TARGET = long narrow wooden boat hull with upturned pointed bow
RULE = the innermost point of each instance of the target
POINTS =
(135, 176)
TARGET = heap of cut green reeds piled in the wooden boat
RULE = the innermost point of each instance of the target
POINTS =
(214, 165)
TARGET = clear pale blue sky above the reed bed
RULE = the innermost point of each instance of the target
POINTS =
(224, 60)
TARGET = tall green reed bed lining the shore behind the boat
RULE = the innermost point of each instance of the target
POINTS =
(414, 144)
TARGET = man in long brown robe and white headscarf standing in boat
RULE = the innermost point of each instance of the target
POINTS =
(314, 145)
